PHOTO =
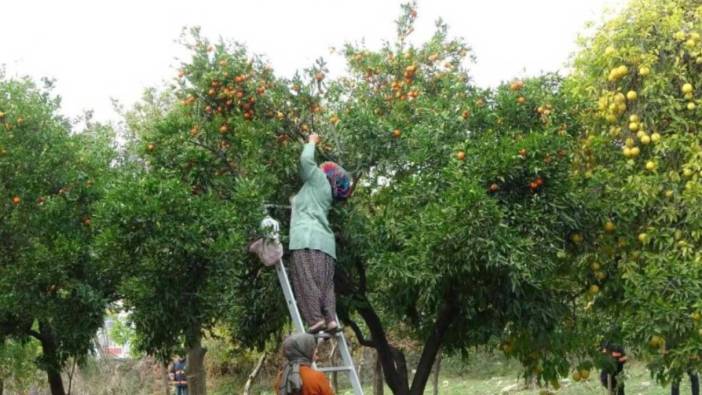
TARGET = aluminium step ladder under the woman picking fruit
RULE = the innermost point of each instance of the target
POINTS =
(273, 231)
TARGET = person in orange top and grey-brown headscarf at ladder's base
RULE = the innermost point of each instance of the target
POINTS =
(298, 377)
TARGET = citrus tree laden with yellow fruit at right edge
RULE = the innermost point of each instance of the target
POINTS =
(640, 158)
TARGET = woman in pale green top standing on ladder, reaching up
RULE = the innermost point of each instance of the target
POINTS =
(312, 244)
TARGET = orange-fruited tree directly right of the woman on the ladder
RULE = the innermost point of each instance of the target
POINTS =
(459, 231)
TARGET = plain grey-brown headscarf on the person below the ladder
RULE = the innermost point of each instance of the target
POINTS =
(298, 350)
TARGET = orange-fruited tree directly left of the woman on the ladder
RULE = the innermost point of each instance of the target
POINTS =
(204, 157)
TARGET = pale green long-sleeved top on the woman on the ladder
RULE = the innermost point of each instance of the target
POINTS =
(309, 226)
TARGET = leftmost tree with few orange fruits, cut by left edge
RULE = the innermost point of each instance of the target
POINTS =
(51, 285)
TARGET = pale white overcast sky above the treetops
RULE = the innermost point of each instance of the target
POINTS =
(101, 49)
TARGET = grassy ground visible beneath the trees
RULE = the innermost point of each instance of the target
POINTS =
(483, 374)
